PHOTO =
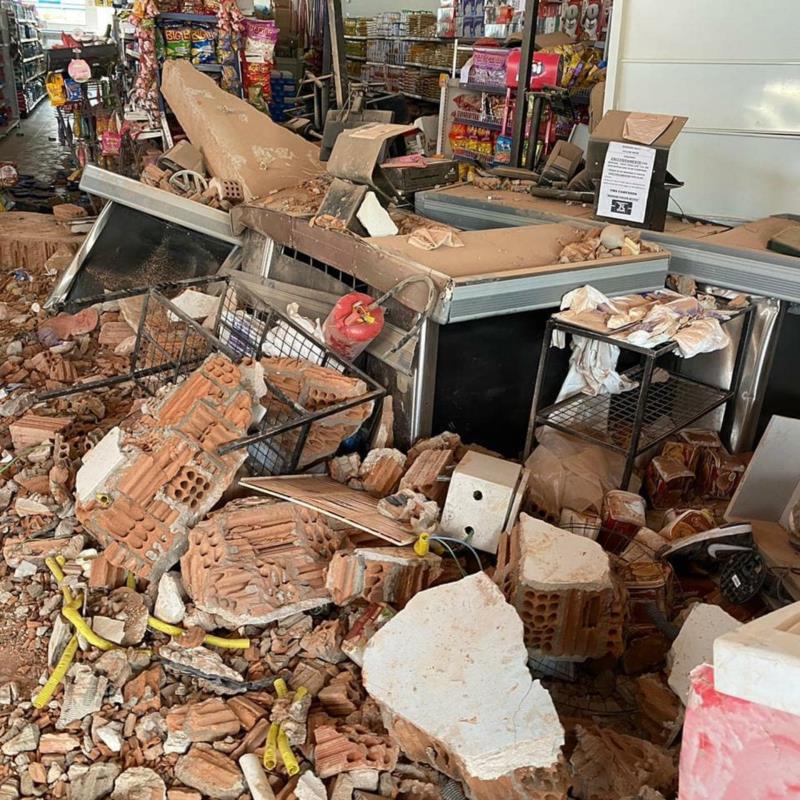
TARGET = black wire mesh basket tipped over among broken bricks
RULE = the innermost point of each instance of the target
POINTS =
(311, 400)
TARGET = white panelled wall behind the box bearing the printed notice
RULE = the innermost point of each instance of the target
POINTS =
(733, 68)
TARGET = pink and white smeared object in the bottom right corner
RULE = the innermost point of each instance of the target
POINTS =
(736, 750)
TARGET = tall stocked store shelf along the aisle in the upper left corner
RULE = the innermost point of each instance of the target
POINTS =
(27, 51)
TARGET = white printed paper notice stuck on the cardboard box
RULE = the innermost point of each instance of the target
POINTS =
(625, 185)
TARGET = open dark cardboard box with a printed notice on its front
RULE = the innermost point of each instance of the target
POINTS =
(612, 128)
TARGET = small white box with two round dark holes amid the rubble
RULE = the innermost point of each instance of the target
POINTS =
(480, 496)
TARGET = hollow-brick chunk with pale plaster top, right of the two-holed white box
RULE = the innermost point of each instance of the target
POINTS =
(562, 588)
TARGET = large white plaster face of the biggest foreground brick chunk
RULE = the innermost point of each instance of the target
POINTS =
(453, 664)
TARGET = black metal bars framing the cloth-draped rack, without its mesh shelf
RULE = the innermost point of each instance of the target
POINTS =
(644, 373)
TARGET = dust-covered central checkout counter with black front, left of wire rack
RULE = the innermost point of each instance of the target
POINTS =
(477, 352)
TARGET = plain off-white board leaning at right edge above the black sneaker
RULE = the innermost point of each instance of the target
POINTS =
(772, 476)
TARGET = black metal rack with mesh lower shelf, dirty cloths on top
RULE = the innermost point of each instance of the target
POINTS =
(633, 422)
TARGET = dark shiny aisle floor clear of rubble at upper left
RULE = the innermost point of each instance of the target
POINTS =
(34, 147)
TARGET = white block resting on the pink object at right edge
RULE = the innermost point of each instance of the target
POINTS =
(760, 661)
